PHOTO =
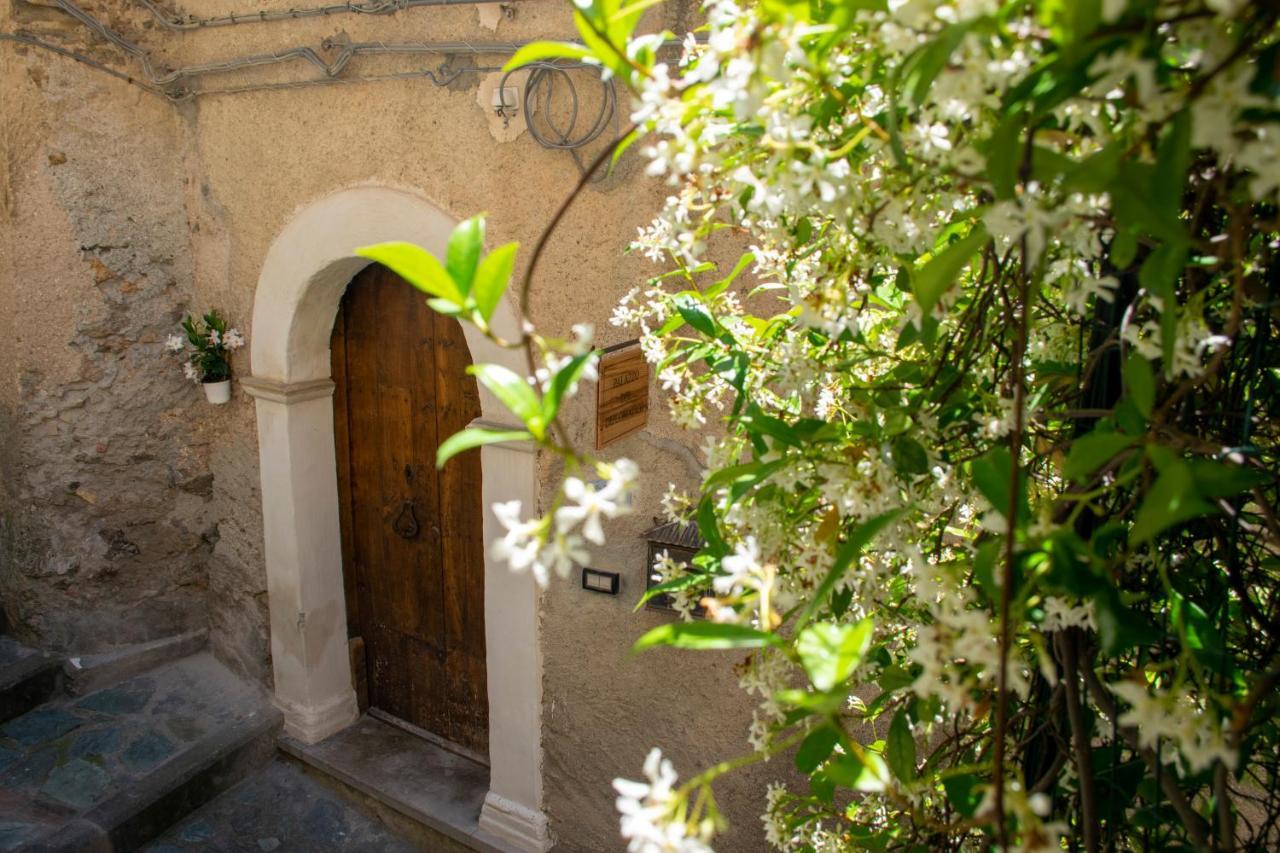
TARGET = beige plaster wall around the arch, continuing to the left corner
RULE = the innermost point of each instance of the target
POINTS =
(207, 186)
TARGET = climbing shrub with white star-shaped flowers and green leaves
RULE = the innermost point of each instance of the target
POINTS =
(994, 431)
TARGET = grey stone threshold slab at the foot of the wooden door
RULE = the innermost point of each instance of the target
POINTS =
(410, 776)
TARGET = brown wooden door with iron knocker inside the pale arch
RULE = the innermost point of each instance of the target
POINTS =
(412, 536)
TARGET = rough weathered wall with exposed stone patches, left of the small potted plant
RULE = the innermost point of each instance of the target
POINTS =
(106, 532)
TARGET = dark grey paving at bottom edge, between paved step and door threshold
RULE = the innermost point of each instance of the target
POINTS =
(281, 809)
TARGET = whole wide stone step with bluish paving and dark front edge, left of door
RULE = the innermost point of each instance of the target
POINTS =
(113, 769)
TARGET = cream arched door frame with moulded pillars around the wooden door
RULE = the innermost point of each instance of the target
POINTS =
(304, 276)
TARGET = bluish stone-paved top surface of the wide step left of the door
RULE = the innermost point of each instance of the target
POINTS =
(75, 758)
